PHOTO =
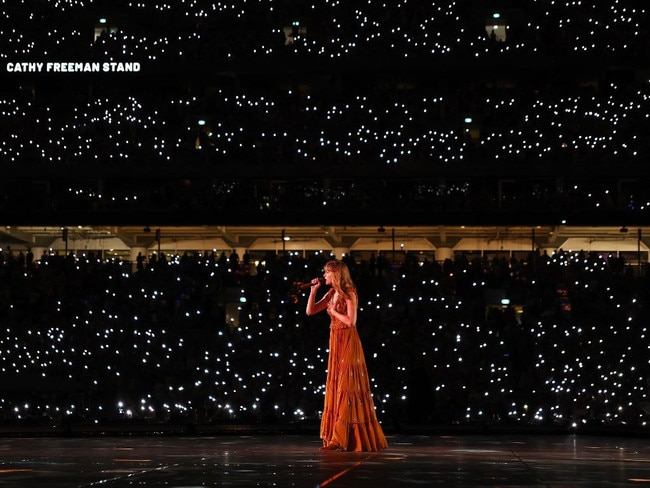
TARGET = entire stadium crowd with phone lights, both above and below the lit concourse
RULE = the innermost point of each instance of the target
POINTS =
(227, 90)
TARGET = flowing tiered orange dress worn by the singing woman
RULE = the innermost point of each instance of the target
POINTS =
(349, 420)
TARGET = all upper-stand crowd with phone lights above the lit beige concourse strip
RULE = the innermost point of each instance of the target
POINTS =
(354, 90)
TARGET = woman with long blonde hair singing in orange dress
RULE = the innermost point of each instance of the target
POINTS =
(349, 421)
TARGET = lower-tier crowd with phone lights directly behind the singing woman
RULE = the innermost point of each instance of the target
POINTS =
(207, 338)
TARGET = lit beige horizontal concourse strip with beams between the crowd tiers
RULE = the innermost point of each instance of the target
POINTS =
(123, 240)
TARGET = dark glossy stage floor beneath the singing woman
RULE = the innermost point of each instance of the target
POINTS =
(295, 460)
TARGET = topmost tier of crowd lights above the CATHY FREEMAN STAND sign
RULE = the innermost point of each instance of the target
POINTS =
(240, 29)
